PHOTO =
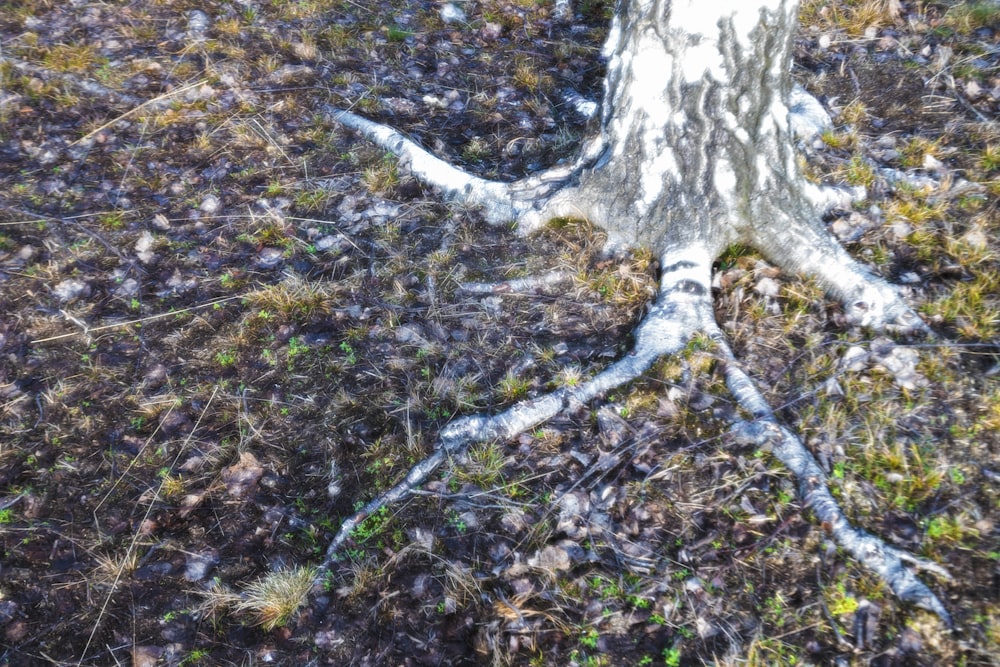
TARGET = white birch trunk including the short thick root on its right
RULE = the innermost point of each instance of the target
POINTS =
(695, 146)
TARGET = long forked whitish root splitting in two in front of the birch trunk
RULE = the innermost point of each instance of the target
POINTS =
(682, 309)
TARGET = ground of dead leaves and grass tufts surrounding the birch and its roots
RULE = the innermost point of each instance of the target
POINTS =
(225, 323)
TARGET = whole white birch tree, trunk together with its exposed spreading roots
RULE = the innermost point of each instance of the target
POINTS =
(694, 153)
